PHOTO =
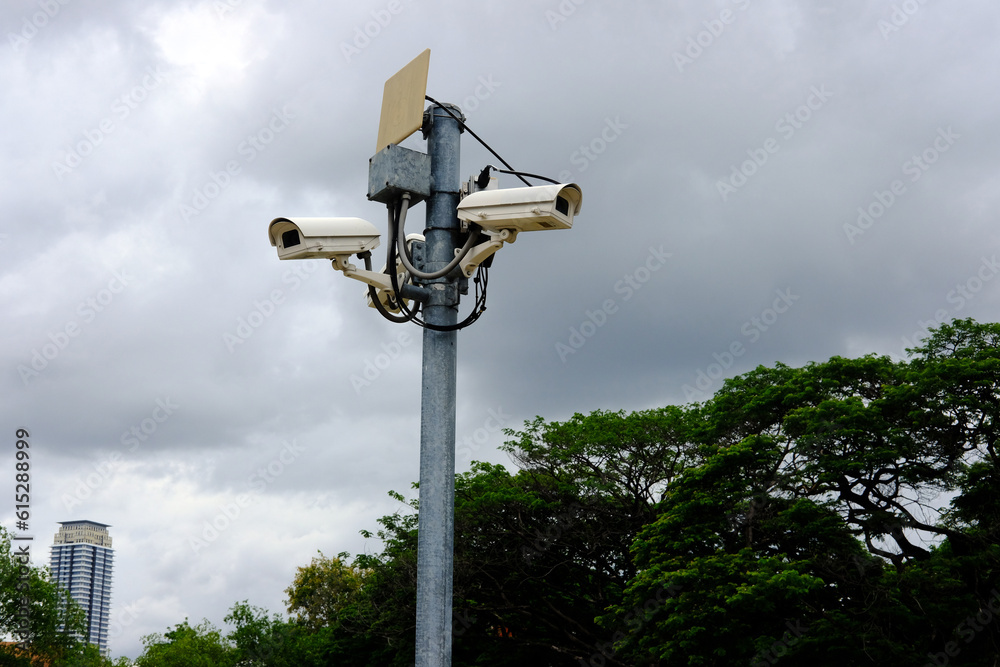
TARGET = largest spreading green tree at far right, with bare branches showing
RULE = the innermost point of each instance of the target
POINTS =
(810, 533)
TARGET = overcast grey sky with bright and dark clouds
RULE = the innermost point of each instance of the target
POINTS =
(762, 181)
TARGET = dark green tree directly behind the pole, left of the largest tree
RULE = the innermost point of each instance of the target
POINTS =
(538, 553)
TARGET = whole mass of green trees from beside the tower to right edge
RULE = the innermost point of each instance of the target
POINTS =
(845, 513)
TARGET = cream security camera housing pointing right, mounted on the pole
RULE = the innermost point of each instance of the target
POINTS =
(523, 209)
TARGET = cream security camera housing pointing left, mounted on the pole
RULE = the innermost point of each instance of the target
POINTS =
(309, 238)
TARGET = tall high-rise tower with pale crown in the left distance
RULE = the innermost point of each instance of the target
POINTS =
(81, 562)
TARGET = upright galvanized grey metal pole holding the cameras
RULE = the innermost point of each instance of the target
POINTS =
(436, 523)
